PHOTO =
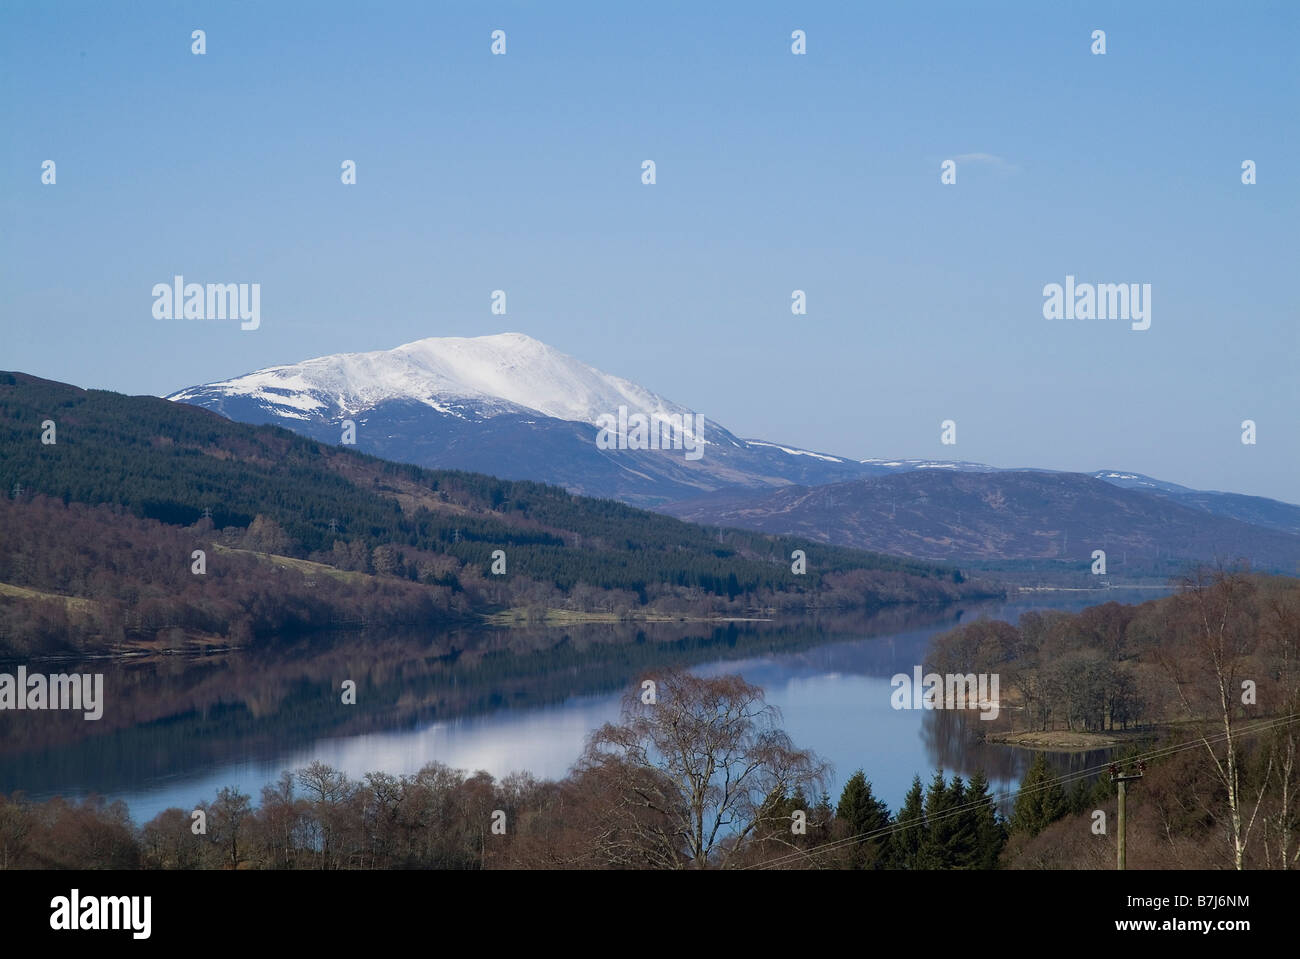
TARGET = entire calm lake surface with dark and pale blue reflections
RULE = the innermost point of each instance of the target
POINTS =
(177, 730)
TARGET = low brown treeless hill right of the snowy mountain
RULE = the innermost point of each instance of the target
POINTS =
(967, 518)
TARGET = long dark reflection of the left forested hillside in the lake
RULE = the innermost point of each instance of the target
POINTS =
(174, 715)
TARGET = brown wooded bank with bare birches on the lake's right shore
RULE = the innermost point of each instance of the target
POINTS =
(1203, 684)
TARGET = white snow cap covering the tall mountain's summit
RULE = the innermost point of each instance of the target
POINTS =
(506, 372)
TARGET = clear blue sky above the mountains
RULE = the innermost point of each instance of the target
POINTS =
(775, 172)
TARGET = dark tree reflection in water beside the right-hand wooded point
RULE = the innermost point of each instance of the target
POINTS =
(952, 740)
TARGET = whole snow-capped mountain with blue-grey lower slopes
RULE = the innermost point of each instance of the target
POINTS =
(513, 407)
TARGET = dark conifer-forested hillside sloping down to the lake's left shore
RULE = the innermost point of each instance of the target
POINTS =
(98, 532)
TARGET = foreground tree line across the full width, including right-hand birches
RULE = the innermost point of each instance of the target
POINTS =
(699, 774)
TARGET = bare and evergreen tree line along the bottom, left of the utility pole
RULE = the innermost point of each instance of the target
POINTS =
(644, 795)
